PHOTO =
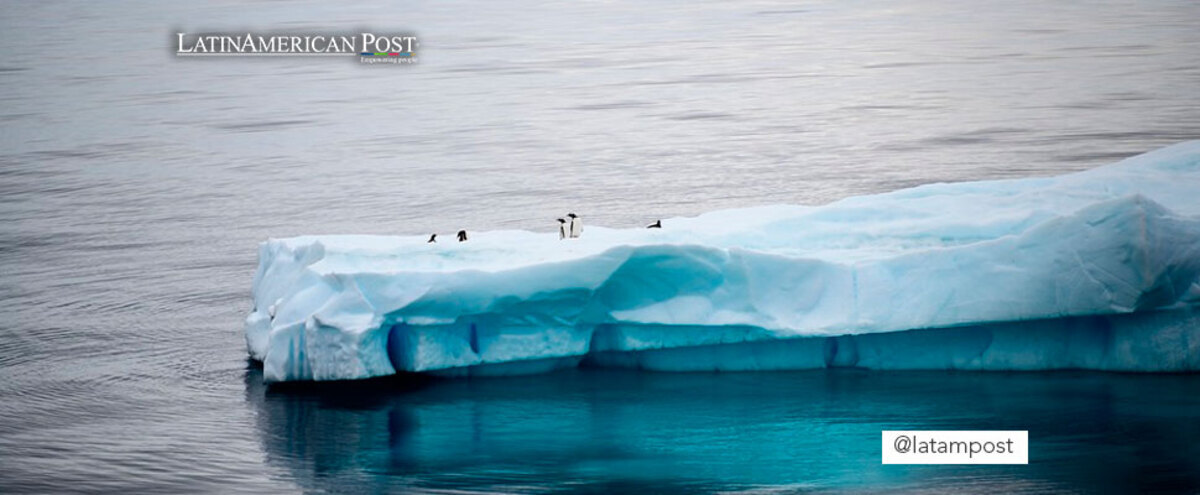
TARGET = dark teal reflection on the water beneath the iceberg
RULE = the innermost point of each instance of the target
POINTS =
(615, 431)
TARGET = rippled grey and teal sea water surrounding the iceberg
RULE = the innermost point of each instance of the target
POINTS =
(135, 188)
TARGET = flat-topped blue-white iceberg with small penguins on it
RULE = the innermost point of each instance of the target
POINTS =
(1097, 270)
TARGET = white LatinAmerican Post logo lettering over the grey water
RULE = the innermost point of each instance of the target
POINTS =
(368, 47)
